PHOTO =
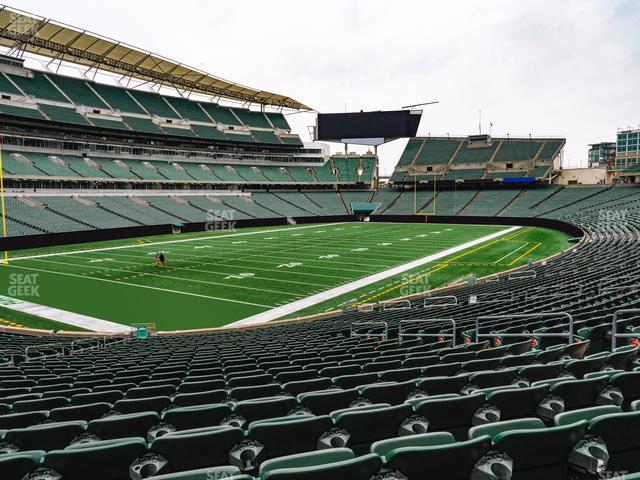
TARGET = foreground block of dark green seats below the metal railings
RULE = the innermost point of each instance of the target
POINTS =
(252, 404)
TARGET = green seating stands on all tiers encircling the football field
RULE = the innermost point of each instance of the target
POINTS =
(527, 385)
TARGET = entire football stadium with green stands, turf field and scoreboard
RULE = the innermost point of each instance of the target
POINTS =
(194, 287)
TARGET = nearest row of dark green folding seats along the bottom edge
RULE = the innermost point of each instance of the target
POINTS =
(593, 443)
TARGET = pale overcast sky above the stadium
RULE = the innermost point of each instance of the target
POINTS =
(546, 67)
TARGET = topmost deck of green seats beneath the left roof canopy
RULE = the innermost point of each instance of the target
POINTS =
(78, 101)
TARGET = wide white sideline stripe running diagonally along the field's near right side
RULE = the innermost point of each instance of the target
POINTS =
(292, 307)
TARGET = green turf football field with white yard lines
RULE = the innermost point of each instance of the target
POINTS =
(216, 278)
